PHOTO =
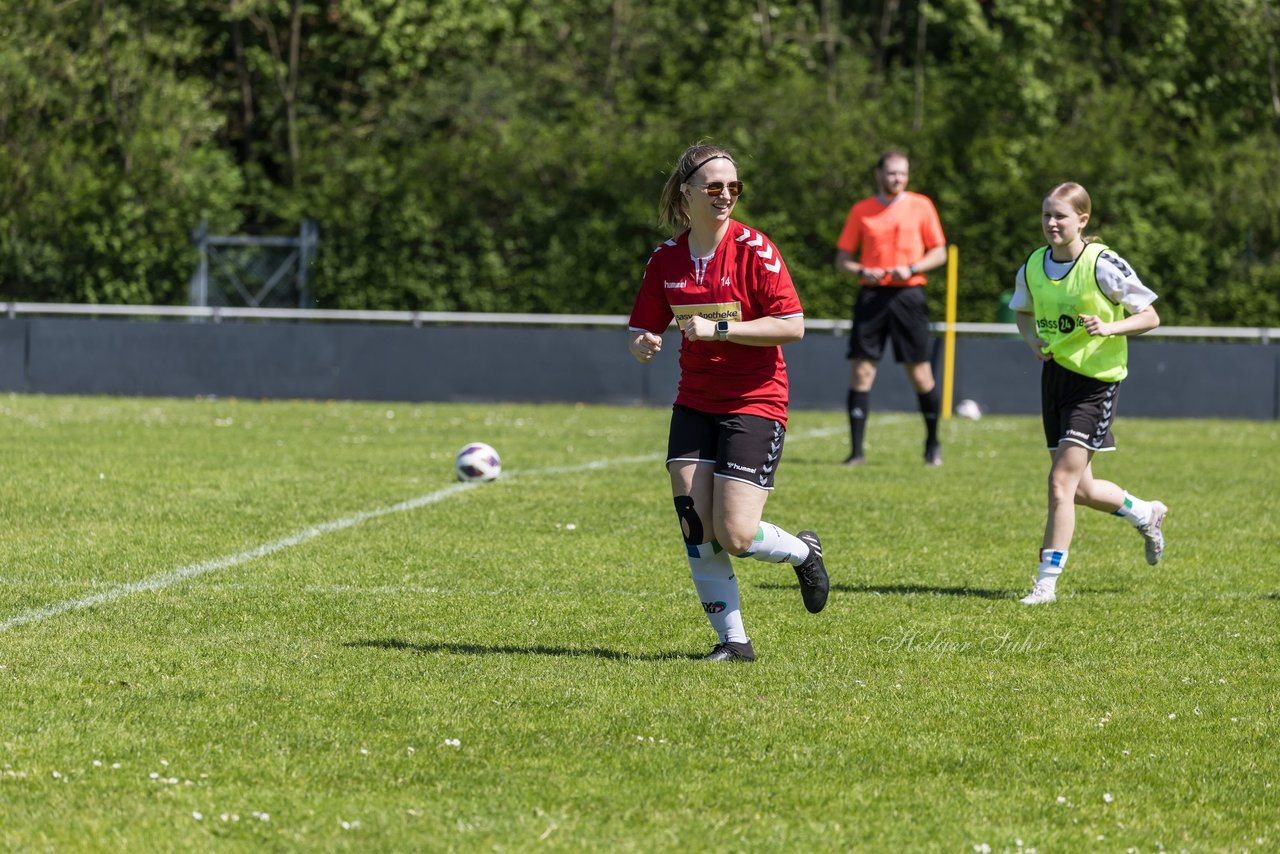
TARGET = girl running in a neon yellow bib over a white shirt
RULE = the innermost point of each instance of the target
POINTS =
(1076, 303)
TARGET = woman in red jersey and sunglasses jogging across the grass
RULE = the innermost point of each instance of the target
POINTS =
(726, 287)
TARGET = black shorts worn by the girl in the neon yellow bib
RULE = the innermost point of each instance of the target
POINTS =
(1077, 409)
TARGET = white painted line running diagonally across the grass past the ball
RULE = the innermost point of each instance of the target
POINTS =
(195, 570)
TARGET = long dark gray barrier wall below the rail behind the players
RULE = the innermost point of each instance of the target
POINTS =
(543, 364)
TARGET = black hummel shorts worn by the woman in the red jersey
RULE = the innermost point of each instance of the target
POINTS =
(743, 447)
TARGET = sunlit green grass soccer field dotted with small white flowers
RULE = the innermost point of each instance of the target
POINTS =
(234, 625)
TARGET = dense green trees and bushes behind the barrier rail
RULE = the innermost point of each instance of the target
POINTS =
(509, 154)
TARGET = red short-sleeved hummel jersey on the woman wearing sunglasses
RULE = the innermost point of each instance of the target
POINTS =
(744, 280)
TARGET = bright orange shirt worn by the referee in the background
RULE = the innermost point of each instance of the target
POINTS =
(894, 235)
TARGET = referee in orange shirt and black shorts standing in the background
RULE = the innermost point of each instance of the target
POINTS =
(900, 239)
